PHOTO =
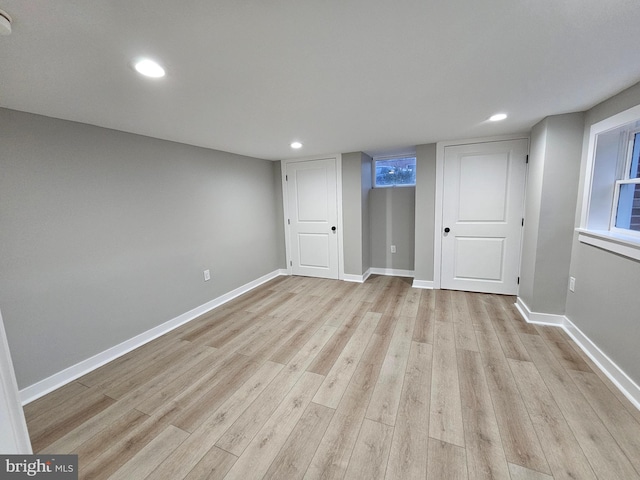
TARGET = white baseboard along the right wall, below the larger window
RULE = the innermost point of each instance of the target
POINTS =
(619, 378)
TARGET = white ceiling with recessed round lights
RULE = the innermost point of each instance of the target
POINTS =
(251, 76)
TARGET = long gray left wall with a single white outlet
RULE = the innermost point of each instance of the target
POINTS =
(106, 234)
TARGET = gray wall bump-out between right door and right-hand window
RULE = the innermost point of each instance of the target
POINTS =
(552, 188)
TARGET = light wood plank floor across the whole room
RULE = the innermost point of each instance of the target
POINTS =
(312, 378)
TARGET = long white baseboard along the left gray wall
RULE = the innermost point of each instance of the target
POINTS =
(57, 380)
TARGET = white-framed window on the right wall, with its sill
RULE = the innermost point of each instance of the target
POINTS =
(611, 206)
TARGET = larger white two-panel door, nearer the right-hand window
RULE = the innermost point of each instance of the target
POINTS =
(482, 215)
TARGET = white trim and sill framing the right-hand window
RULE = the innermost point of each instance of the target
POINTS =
(621, 241)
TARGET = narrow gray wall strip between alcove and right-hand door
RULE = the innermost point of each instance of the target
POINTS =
(425, 213)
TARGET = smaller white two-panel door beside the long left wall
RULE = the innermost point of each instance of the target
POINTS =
(313, 217)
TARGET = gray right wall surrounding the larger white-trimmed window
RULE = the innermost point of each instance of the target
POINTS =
(605, 304)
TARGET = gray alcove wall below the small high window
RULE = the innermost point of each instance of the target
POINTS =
(392, 223)
